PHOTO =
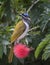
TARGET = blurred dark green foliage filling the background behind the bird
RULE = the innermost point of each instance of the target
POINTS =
(39, 36)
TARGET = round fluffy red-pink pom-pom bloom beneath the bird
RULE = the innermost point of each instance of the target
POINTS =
(21, 51)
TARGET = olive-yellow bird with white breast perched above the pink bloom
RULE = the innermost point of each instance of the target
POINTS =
(19, 32)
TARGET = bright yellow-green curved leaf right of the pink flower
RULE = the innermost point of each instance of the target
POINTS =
(42, 45)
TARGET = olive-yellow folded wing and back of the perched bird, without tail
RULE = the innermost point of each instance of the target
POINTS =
(19, 29)
